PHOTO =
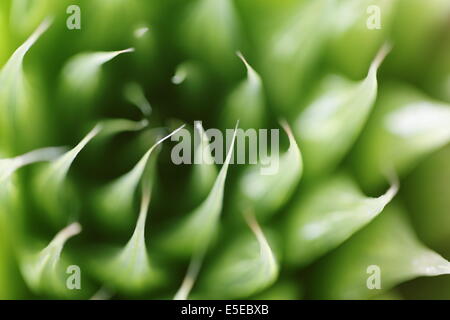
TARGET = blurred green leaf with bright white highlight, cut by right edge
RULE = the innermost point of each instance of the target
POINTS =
(406, 127)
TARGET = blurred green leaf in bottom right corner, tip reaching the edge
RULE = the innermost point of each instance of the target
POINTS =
(388, 243)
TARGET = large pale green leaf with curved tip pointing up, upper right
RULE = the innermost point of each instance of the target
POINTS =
(330, 124)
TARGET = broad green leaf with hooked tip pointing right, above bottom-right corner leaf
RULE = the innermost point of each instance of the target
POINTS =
(327, 216)
